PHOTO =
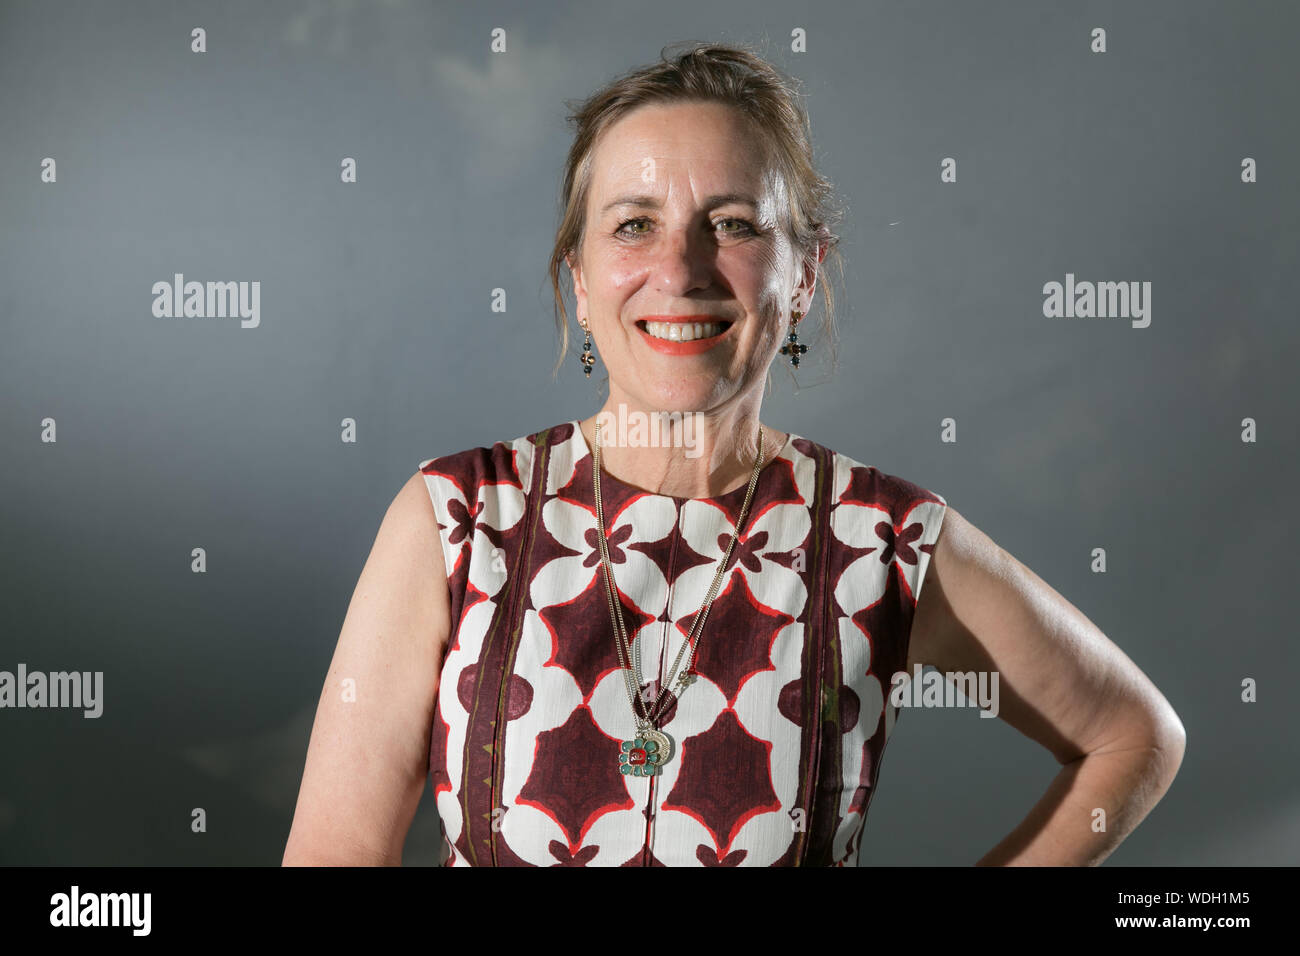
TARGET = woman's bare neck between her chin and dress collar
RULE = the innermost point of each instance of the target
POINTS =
(684, 455)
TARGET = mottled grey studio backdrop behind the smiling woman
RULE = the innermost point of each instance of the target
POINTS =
(376, 306)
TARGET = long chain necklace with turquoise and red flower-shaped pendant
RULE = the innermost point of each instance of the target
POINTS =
(647, 754)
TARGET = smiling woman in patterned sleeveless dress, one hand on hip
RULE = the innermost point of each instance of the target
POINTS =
(636, 641)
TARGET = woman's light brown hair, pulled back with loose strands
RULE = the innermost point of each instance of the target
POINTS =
(734, 76)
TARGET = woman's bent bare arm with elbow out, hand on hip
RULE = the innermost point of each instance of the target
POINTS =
(1063, 684)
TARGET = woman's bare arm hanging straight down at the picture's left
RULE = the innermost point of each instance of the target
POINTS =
(370, 751)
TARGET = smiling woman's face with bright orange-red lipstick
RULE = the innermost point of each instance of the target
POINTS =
(683, 219)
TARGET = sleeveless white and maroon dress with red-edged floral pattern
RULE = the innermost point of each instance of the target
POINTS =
(778, 742)
